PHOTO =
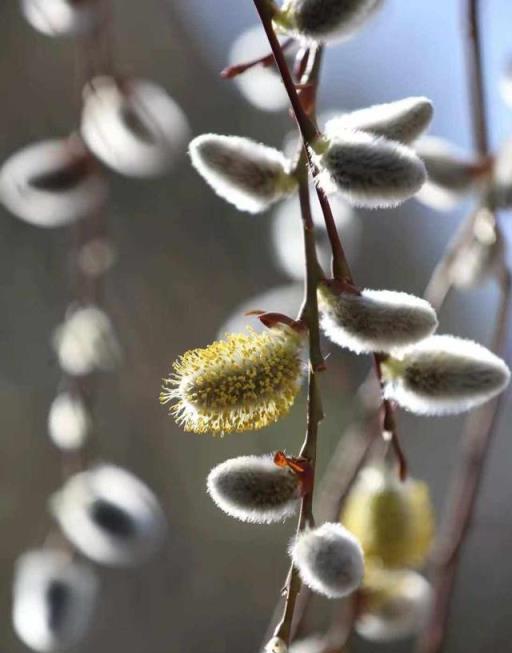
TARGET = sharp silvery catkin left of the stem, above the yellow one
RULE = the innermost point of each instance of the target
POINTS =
(247, 174)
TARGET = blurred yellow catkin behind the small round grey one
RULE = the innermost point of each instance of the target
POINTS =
(392, 520)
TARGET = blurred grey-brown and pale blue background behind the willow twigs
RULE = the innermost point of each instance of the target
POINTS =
(186, 260)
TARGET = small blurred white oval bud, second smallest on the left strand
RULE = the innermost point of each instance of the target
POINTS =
(69, 422)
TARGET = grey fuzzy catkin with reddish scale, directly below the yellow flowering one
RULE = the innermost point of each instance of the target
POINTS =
(254, 489)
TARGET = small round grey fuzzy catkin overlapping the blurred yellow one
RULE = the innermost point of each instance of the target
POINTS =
(329, 560)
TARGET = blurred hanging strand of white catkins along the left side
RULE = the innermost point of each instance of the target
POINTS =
(103, 513)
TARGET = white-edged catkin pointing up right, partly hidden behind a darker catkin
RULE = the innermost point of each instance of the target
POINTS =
(402, 120)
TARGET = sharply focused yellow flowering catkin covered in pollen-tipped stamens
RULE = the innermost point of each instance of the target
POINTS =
(242, 383)
